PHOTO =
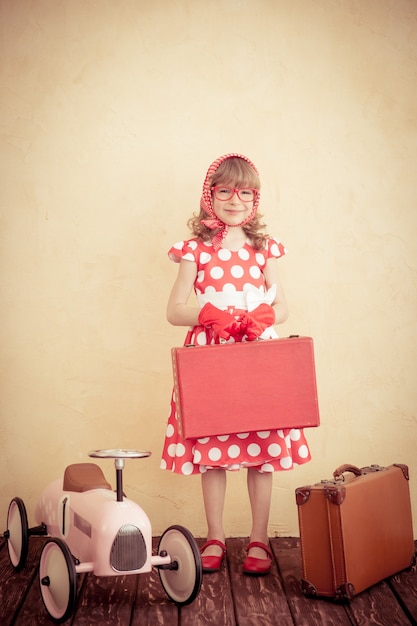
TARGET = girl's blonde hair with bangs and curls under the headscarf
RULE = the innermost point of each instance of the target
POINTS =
(234, 172)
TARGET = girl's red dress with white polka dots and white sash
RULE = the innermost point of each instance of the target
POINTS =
(232, 281)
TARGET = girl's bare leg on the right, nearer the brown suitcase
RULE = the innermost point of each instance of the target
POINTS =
(260, 491)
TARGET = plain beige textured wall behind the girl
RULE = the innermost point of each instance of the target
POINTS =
(111, 111)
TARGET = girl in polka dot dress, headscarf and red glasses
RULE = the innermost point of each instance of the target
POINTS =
(232, 266)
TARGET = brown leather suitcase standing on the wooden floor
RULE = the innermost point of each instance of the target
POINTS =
(355, 530)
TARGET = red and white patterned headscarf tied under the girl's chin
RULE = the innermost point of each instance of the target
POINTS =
(206, 202)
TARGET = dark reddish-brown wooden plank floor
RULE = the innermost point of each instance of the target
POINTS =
(227, 598)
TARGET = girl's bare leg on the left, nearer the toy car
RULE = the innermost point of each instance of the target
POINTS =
(213, 484)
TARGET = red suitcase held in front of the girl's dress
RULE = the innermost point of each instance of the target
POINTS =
(240, 387)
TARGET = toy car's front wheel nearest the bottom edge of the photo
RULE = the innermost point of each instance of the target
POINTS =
(58, 579)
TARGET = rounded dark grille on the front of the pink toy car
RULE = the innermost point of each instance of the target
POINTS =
(128, 551)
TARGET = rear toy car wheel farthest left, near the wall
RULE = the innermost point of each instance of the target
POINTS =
(17, 533)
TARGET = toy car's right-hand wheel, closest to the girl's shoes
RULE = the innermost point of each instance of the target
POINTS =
(182, 578)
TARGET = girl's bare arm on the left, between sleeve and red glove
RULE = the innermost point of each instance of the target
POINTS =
(178, 311)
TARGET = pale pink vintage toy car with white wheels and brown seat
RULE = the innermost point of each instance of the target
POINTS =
(95, 529)
